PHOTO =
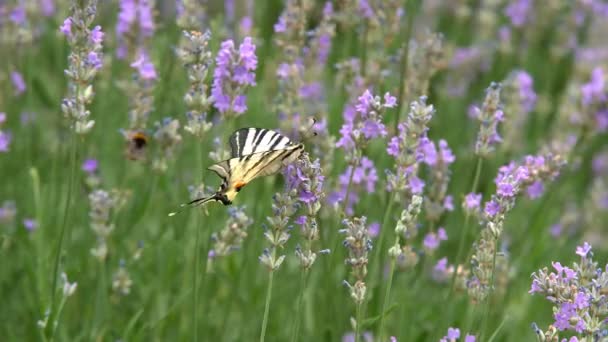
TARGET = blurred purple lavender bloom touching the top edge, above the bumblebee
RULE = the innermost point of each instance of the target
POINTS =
(135, 24)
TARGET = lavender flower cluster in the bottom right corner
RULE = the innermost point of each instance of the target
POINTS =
(578, 295)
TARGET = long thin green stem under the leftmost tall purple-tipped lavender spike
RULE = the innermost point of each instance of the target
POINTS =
(64, 227)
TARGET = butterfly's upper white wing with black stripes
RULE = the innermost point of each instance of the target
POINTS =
(247, 141)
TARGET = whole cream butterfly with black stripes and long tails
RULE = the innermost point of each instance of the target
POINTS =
(255, 152)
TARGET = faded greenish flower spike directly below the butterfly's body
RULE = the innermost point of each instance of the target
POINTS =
(234, 232)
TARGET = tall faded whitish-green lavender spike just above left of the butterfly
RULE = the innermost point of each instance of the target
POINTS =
(195, 56)
